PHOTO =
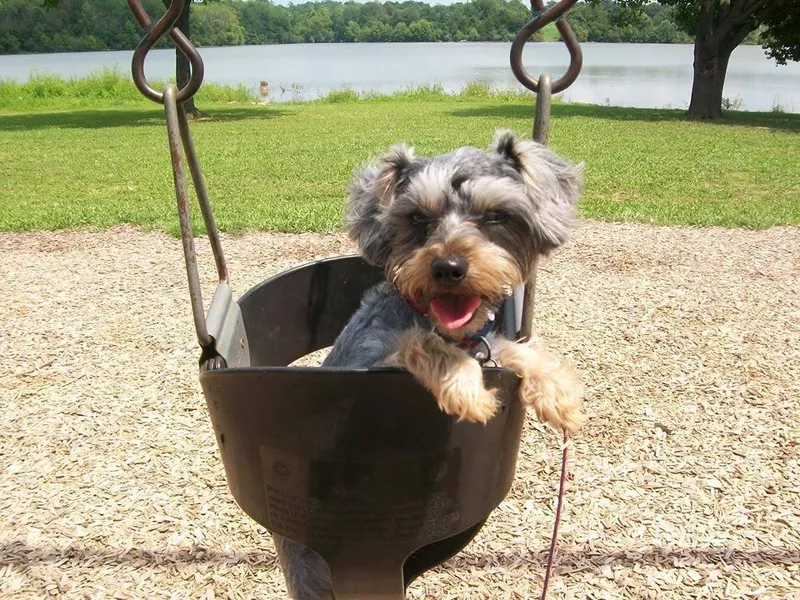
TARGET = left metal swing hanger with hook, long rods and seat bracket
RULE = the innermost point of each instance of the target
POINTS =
(220, 334)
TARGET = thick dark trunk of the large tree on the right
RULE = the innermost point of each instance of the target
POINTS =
(710, 65)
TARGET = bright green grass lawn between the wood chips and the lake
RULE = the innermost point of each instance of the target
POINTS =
(285, 167)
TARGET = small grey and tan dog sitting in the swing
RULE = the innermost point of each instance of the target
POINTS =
(455, 234)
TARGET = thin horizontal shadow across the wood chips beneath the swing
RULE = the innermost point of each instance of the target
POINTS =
(21, 554)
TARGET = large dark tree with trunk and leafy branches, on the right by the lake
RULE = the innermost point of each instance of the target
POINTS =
(718, 27)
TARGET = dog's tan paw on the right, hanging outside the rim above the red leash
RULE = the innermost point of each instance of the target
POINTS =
(557, 398)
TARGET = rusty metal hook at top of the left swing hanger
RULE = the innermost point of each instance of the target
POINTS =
(165, 24)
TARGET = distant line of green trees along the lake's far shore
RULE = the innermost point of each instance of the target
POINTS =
(73, 25)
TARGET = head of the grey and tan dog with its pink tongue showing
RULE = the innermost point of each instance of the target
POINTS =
(457, 232)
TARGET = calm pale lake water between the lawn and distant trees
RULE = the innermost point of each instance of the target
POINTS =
(641, 75)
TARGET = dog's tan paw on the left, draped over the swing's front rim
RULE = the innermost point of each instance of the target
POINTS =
(463, 395)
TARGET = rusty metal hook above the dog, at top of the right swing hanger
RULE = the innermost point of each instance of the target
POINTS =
(541, 19)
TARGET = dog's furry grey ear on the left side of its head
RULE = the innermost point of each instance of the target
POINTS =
(371, 193)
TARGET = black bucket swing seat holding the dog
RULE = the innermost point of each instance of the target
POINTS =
(360, 465)
